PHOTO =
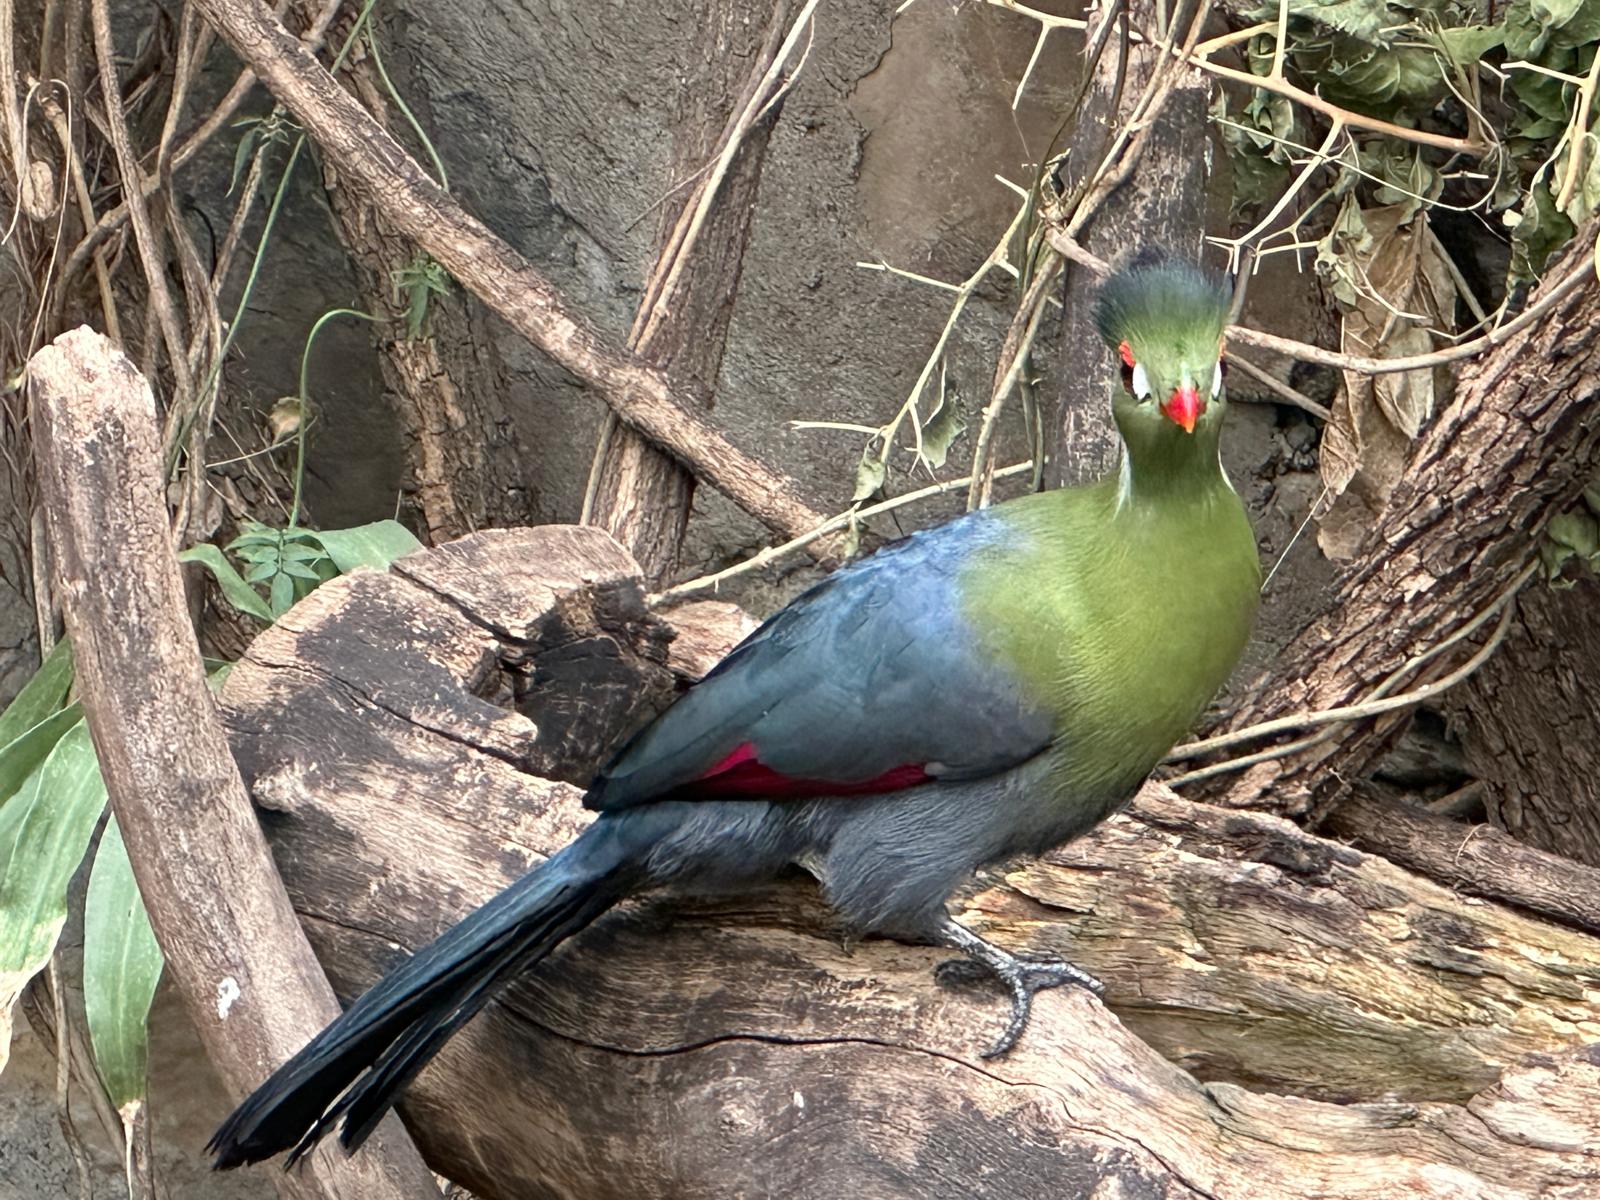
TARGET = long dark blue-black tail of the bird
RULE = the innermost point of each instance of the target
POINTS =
(356, 1068)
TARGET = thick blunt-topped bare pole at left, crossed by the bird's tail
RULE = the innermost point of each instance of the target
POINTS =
(231, 938)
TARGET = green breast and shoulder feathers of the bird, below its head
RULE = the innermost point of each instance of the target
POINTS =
(1124, 620)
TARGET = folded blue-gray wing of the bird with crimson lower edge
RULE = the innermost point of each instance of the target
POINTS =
(870, 682)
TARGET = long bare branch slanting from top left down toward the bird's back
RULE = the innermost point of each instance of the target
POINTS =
(497, 274)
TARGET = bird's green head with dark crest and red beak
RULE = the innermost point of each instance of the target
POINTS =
(1166, 322)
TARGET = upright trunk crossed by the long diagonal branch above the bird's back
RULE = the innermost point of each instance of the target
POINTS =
(642, 497)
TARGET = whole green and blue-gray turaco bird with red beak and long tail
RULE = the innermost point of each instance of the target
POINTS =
(988, 689)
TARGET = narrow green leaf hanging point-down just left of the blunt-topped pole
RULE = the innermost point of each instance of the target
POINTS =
(122, 964)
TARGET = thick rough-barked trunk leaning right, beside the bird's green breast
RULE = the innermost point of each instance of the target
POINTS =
(1516, 447)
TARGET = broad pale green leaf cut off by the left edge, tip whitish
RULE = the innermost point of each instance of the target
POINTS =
(44, 833)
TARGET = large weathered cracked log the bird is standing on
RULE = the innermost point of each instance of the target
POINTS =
(732, 1049)
